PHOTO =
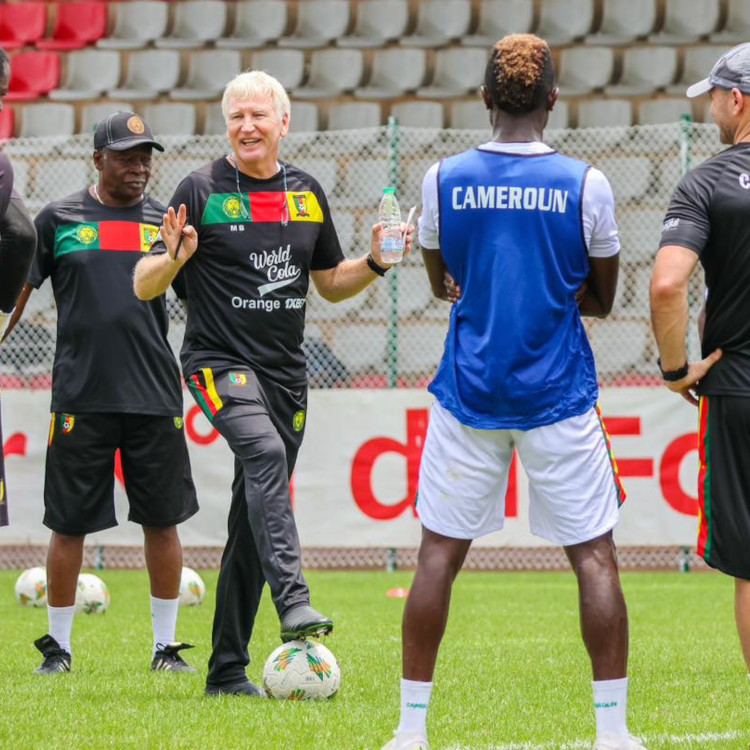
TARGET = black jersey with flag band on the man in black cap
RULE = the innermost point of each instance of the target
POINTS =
(112, 353)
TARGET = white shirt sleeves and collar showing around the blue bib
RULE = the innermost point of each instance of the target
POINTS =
(598, 211)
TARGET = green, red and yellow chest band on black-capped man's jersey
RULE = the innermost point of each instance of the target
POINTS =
(110, 236)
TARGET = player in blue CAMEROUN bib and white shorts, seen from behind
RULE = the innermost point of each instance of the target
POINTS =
(523, 242)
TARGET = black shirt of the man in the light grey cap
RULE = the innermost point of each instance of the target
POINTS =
(710, 214)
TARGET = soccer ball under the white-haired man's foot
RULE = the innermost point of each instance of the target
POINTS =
(301, 670)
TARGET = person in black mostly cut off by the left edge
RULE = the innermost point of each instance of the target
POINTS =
(17, 245)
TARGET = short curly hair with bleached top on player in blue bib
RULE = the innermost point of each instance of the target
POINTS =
(520, 74)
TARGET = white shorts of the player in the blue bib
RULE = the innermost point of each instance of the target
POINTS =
(574, 490)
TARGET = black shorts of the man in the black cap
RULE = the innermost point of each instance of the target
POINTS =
(80, 471)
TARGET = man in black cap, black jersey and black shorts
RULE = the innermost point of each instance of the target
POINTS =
(115, 384)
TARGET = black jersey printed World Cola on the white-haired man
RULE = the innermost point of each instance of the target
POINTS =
(247, 283)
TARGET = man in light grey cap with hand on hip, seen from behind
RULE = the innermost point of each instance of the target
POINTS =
(707, 221)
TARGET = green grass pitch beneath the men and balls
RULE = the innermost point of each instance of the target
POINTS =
(512, 672)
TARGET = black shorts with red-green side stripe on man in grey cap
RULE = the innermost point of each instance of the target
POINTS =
(724, 484)
